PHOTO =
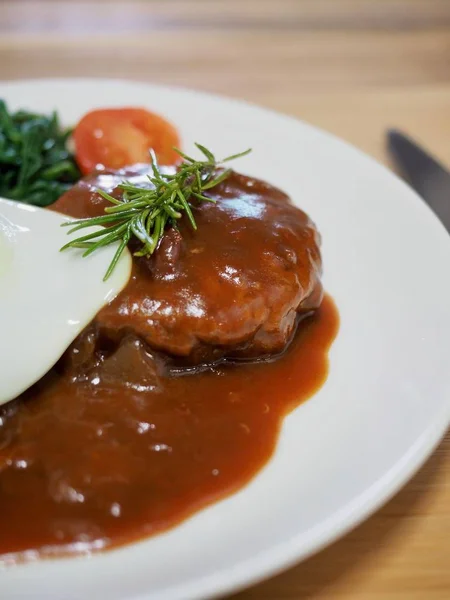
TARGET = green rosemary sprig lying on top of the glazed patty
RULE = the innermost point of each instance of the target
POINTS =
(145, 213)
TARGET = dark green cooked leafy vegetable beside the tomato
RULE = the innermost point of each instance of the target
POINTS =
(35, 165)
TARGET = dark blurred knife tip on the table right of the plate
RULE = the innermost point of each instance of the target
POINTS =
(425, 174)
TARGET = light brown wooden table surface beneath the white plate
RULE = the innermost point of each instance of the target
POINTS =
(354, 67)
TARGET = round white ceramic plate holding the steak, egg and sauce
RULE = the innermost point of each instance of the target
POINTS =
(386, 402)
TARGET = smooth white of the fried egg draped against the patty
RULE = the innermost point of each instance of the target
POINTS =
(47, 297)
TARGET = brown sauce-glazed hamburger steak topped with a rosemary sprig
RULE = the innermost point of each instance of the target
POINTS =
(234, 288)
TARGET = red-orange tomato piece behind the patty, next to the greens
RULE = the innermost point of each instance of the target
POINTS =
(117, 137)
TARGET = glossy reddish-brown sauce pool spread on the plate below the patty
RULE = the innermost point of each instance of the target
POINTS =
(82, 468)
